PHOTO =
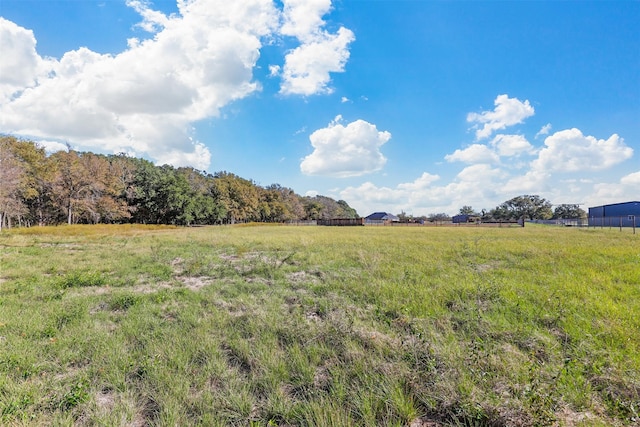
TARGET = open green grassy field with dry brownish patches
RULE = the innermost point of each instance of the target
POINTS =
(319, 326)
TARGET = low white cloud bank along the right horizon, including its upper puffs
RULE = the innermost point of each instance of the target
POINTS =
(508, 165)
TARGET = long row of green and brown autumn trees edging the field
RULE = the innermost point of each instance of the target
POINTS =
(86, 188)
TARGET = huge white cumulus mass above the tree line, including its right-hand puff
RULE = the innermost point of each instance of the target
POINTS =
(144, 99)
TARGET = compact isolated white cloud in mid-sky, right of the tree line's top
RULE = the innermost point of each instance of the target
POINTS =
(343, 151)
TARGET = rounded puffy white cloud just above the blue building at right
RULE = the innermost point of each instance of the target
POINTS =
(571, 151)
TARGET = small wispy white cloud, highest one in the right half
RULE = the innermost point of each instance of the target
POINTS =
(508, 112)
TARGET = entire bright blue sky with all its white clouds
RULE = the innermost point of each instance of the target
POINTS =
(400, 106)
